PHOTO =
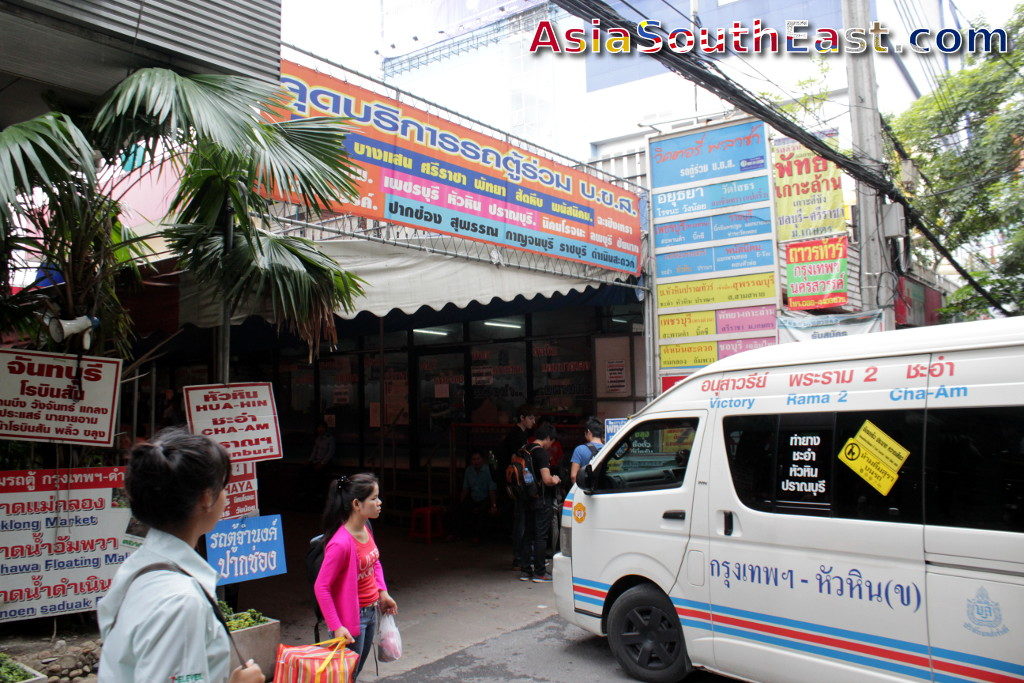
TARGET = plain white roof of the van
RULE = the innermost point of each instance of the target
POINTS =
(936, 338)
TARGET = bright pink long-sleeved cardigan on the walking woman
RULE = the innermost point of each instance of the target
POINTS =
(337, 588)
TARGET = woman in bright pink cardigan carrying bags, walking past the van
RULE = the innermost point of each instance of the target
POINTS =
(351, 585)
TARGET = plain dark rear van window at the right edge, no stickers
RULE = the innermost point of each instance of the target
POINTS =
(975, 468)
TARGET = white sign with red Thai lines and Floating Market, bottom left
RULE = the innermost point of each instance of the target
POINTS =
(62, 539)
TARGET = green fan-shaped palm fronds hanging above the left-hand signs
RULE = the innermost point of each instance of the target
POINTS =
(62, 179)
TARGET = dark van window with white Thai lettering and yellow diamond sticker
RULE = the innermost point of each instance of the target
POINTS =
(790, 464)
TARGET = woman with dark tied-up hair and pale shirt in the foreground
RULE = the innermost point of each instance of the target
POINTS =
(159, 621)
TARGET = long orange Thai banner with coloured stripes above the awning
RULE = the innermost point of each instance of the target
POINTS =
(430, 174)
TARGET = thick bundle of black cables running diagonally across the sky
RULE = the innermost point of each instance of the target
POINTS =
(698, 71)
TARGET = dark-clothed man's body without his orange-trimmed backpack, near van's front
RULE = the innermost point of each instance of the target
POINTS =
(539, 510)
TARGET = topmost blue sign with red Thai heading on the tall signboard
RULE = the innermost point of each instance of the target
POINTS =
(709, 155)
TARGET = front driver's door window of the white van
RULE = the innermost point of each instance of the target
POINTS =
(654, 455)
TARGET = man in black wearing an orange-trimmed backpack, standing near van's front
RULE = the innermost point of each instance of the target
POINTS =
(532, 483)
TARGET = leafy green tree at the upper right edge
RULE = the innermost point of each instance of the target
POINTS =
(968, 141)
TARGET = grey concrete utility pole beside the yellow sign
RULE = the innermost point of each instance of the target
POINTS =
(877, 277)
